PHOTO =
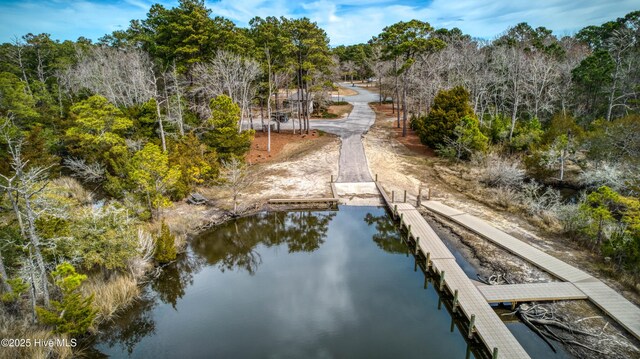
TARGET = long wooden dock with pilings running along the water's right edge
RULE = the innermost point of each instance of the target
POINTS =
(483, 321)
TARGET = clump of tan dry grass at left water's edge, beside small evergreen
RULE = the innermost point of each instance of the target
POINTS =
(111, 296)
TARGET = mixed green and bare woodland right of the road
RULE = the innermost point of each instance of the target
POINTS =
(531, 108)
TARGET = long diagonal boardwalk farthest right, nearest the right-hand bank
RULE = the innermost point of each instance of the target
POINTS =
(605, 298)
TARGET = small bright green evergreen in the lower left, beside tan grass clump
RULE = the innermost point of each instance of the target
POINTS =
(74, 314)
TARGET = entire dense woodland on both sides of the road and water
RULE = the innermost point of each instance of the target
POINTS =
(146, 114)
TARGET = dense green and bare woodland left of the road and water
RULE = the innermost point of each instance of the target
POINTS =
(138, 119)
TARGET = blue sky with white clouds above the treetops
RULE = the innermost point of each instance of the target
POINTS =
(346, 21)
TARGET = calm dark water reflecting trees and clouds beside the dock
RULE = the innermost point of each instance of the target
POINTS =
(290, 285)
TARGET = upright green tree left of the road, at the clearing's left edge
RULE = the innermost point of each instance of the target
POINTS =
(224, 135)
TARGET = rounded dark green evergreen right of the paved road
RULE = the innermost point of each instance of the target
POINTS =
(449, 107)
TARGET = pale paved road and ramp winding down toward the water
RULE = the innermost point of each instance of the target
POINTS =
(353, 162)
